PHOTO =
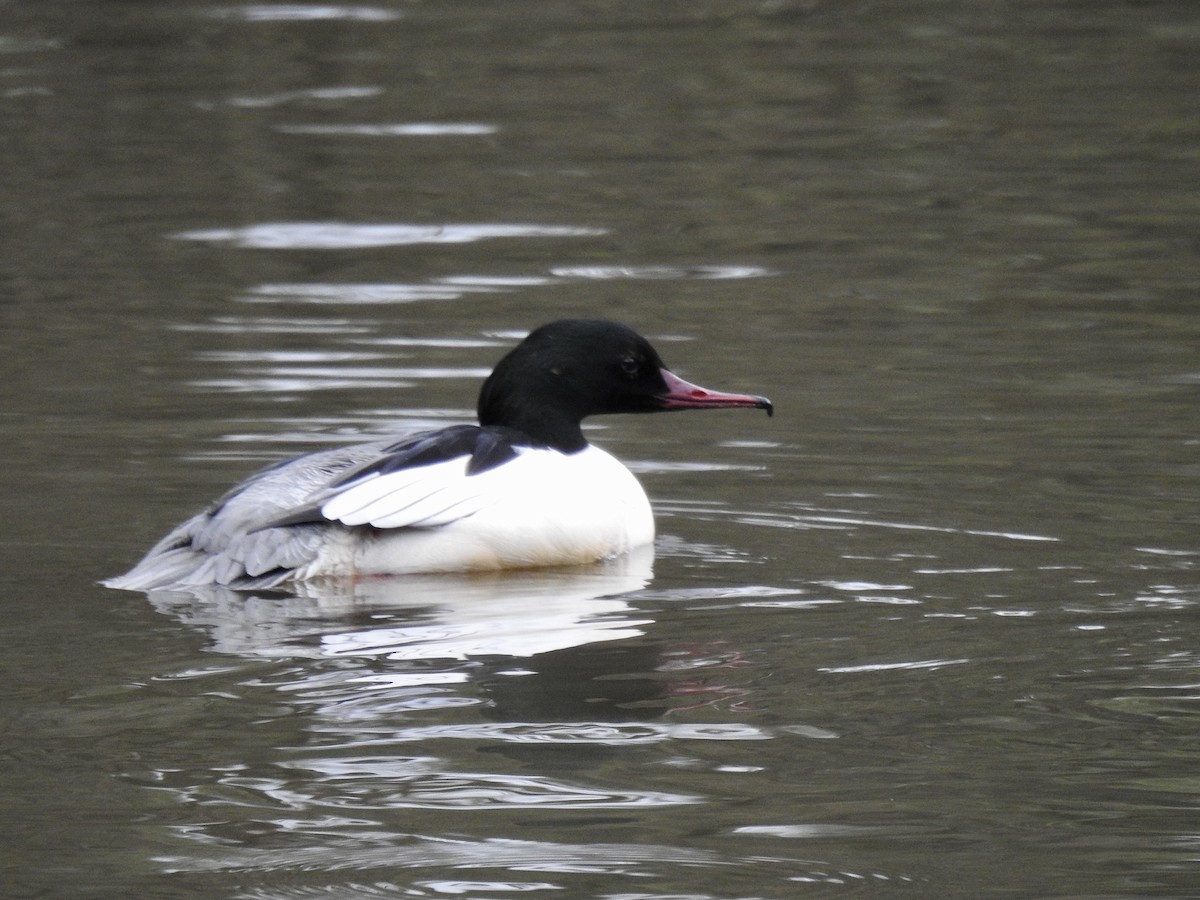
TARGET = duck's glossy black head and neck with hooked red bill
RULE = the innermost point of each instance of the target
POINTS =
(572, 369)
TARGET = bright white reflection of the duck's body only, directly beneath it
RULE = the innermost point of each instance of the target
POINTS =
(424, 617)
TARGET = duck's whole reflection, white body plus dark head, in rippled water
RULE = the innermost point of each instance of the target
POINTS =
(563, 645)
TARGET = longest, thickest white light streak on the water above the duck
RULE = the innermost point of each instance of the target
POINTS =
(347, 236)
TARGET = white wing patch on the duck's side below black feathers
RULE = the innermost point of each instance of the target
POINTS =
(425, 496)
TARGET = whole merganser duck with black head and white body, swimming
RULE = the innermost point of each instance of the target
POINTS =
(521, 490)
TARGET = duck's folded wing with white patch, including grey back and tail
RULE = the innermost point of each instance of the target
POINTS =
(278, 521)
